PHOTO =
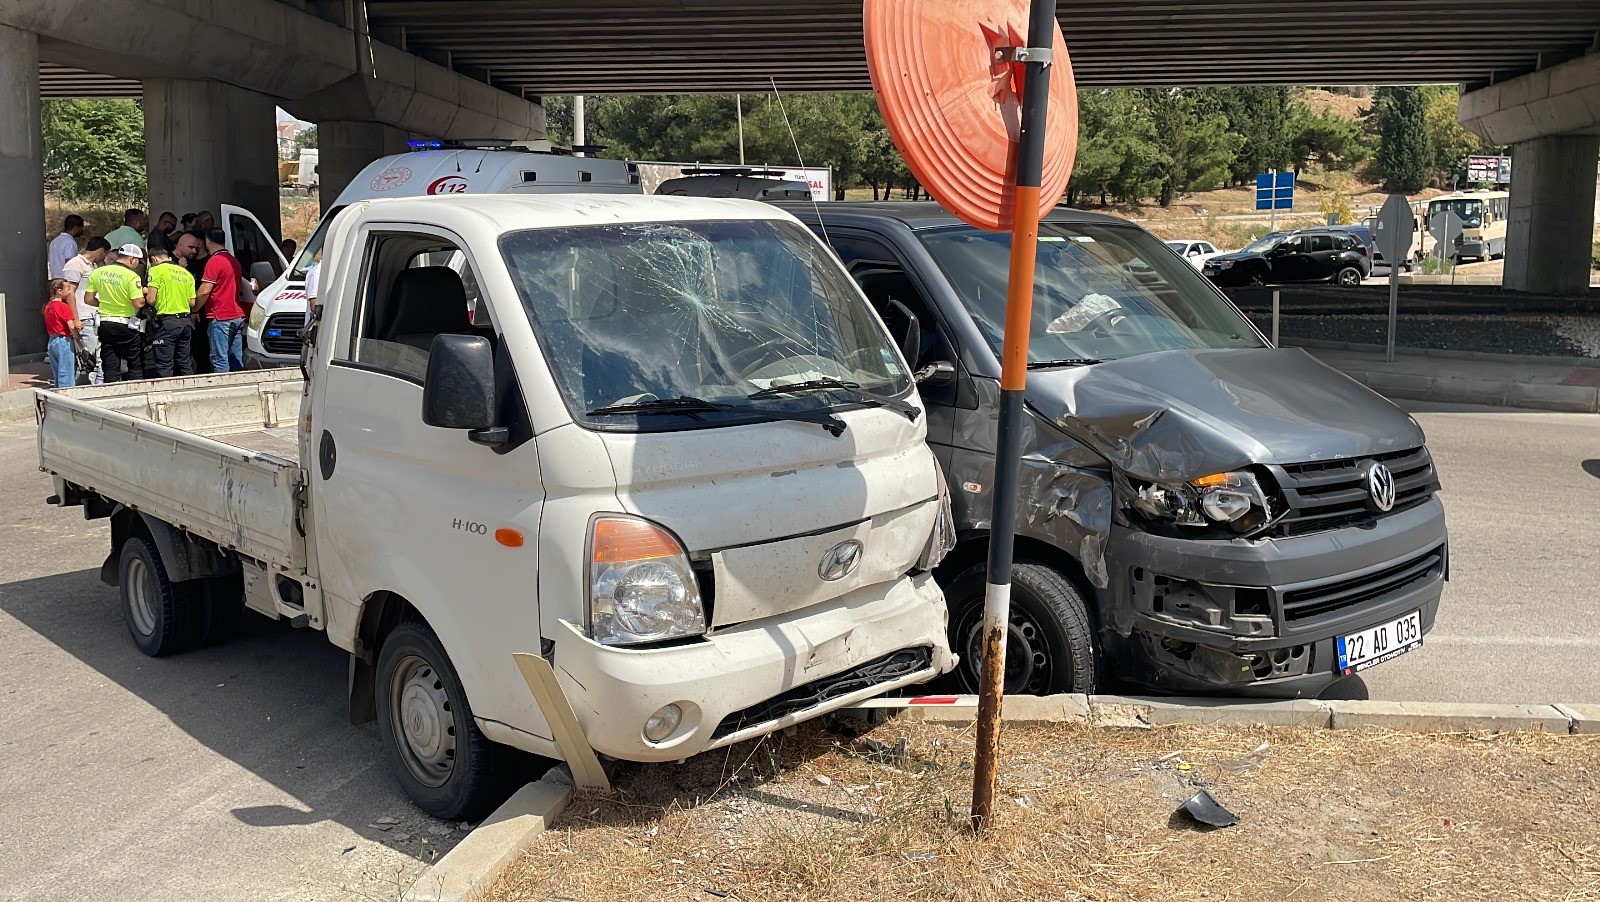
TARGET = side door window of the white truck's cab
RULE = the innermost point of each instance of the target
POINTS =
(410, 297)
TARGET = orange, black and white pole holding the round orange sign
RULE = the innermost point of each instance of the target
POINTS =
(1014, 381)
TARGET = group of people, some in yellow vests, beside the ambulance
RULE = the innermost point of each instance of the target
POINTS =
(135, 292)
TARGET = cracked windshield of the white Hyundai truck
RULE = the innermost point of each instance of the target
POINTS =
(673, 325)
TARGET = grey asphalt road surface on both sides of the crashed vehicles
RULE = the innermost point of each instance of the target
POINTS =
(230, 773)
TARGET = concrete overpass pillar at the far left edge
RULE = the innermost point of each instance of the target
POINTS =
(22, 194)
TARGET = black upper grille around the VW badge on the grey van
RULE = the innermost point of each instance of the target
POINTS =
(1329, 495)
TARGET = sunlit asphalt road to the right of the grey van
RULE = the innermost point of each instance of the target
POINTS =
(1521, 620)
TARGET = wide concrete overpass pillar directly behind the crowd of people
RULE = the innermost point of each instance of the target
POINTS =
(207, 145)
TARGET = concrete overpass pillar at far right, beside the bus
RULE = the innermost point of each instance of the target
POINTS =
(1553, 215)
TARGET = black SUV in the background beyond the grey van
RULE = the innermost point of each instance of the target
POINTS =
(1313, 255)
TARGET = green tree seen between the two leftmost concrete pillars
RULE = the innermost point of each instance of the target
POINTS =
(95, 151)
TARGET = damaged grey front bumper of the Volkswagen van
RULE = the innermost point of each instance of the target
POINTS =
(1265, 618)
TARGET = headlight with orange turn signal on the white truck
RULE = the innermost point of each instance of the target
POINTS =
(641, 585)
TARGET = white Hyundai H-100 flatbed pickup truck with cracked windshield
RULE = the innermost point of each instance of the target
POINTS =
(666, 469)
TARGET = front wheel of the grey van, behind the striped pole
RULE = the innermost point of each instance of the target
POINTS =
(1052, 645)
